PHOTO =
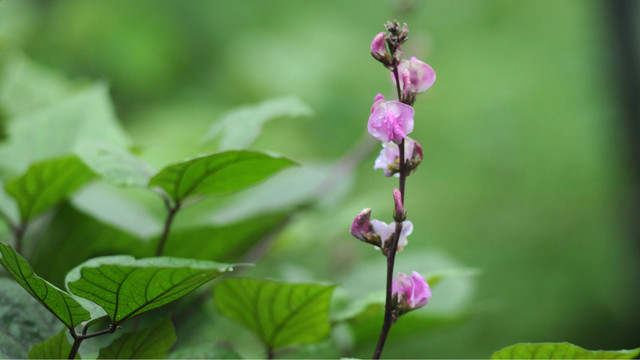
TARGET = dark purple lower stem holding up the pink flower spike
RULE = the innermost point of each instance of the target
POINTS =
(391, 257)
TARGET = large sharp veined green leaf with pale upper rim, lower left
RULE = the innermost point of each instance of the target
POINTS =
(125, 287)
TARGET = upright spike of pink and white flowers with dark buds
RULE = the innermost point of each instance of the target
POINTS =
(391, 122)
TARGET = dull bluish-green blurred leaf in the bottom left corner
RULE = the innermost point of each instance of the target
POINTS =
(23, 321)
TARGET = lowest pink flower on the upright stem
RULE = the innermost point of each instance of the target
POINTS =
(412, 292)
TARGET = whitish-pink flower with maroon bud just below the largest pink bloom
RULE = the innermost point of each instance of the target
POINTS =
(389, 158)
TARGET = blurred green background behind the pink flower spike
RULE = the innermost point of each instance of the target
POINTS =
(524, 176)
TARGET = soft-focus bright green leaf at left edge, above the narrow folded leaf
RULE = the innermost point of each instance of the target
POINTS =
(47, 183)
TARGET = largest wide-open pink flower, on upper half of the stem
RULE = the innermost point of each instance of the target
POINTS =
(390, 120)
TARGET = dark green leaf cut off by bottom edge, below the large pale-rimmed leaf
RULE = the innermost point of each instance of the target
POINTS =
(152, 342)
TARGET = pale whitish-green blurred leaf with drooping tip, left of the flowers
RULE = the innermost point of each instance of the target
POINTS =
(240, 127)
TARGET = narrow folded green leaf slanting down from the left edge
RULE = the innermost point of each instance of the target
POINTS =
(60, 303)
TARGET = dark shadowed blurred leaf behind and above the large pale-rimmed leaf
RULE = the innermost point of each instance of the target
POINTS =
(66, 236)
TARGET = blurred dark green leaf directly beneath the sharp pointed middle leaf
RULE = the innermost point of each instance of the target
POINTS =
(226, 243)
